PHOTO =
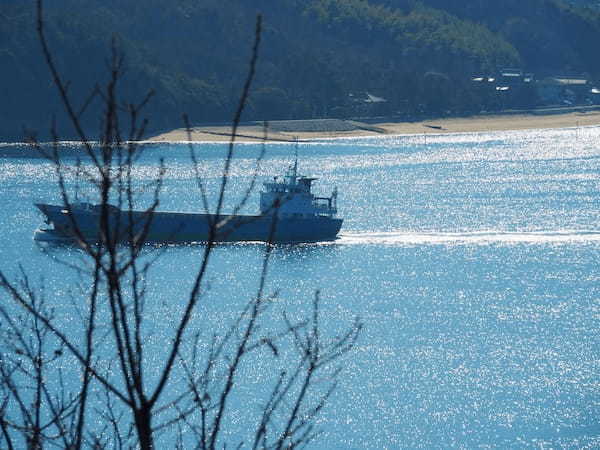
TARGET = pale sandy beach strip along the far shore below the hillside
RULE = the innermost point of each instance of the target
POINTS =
(291, 130)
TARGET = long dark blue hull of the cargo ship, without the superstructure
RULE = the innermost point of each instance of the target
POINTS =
(177, 227)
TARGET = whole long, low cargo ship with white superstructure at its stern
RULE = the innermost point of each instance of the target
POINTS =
(289, 213)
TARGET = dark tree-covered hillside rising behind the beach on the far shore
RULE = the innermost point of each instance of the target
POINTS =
(317, 56)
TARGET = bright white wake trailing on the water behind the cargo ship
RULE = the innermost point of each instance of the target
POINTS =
(468, 238)
